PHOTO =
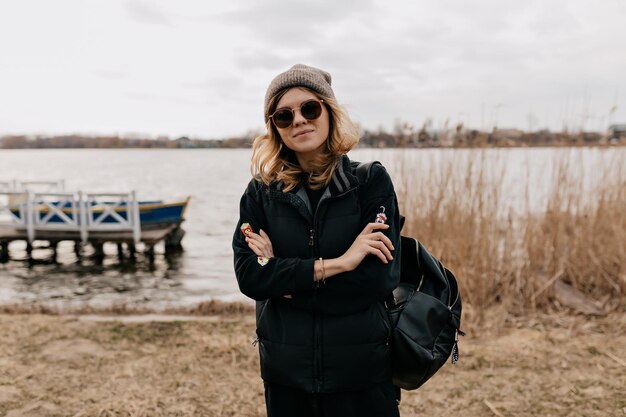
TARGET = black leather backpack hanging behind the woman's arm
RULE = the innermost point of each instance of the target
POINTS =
(424, 311)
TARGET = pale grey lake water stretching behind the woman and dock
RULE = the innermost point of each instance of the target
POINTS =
(215, 179)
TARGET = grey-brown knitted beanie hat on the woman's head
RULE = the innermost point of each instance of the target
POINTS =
(299, 76)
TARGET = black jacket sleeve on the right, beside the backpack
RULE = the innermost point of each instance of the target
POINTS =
(372, 281)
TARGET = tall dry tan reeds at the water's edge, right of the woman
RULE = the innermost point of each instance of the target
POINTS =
(512, 256)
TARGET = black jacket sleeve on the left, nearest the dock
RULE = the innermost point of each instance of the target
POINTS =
(279, 276)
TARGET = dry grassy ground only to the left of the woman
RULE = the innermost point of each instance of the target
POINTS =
(84, 368)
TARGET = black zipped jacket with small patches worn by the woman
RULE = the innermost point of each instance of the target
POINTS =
(333, 336)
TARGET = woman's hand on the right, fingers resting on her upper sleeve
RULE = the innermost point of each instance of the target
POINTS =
(369, 242)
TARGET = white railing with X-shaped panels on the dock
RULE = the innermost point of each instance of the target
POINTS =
(79, 212)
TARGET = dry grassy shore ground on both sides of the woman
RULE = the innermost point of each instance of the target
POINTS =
(551, 365)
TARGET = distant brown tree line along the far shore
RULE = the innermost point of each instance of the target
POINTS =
(402, 136)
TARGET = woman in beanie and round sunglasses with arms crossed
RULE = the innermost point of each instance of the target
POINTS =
(318, 252)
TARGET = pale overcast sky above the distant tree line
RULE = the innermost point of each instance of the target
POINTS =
(200, 67)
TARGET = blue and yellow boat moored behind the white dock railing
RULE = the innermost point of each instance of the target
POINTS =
(56, 214)
